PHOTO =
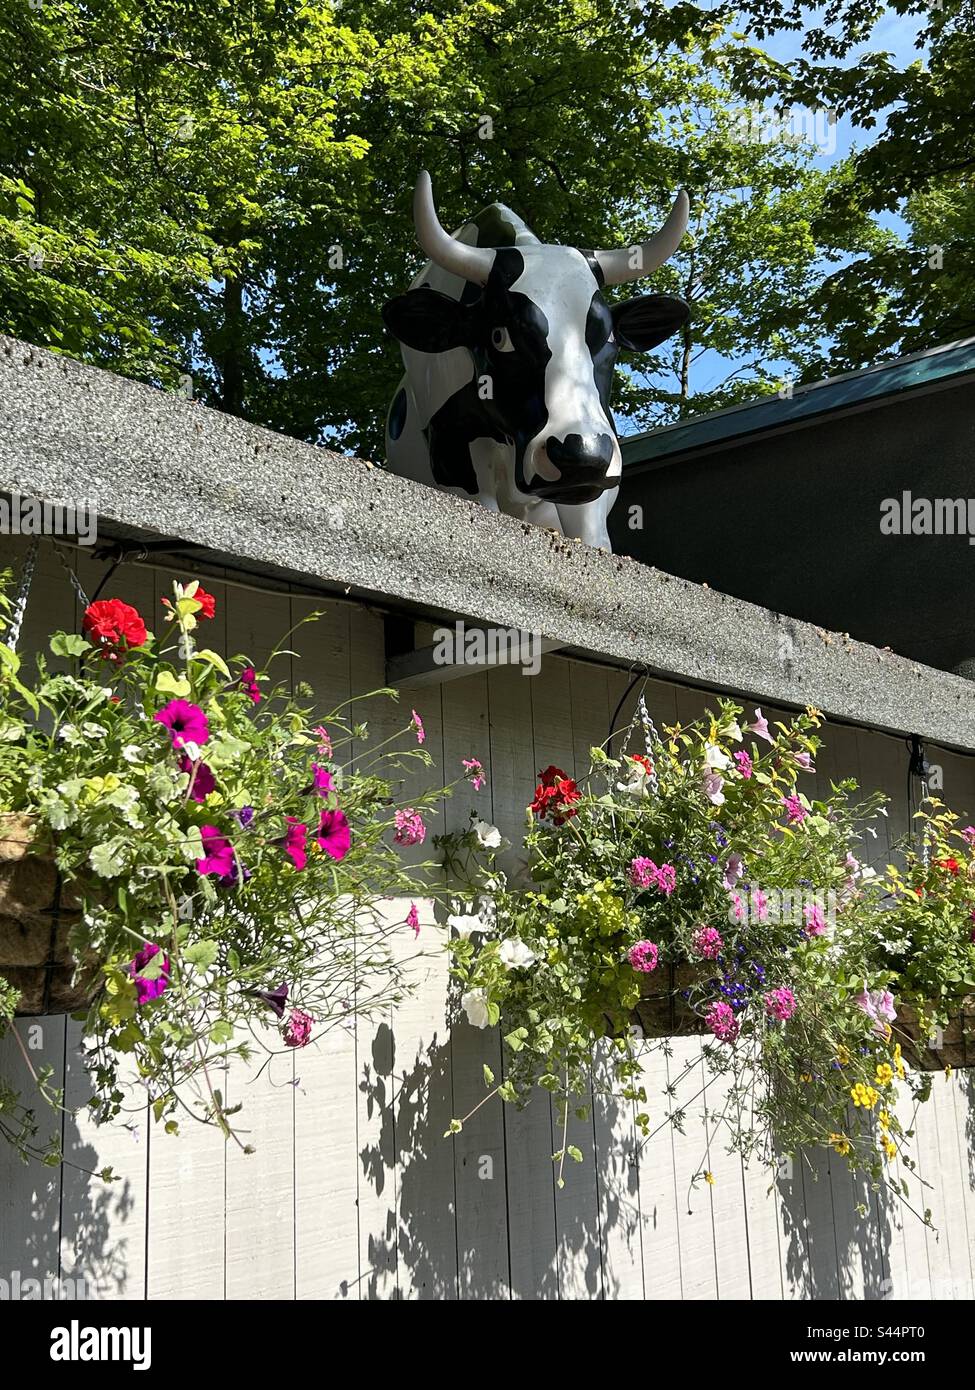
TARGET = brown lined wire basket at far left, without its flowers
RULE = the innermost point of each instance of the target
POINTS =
(35, 918)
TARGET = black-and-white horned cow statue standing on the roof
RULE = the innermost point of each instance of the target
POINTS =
(510, 351)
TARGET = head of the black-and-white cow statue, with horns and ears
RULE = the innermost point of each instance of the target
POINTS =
(546, 341)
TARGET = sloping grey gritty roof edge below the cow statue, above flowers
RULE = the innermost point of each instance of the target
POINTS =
(152, 461)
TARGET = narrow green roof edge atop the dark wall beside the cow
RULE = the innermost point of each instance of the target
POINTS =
(857, 389)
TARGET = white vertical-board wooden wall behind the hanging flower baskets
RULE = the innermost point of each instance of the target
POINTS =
(354, 1193)
